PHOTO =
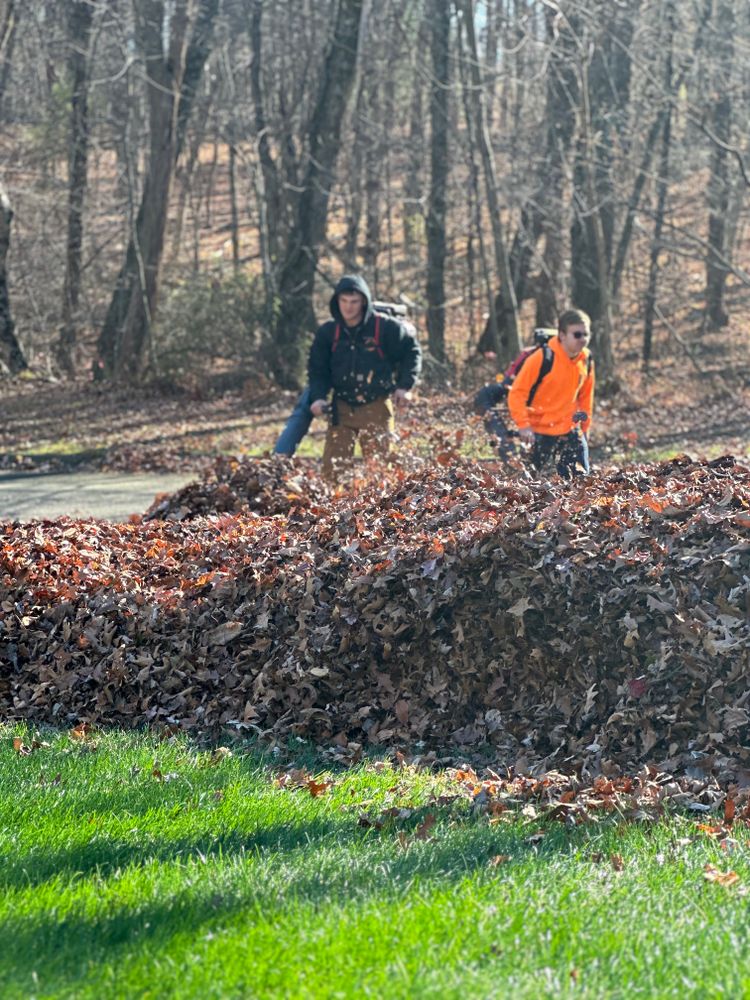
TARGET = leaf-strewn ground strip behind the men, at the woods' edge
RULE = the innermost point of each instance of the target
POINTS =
(696, 399)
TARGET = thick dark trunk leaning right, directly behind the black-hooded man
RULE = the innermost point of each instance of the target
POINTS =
(296, 280)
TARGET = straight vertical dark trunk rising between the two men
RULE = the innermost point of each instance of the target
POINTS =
(440, 17)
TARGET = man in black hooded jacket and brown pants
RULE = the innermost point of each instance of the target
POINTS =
(365, 358)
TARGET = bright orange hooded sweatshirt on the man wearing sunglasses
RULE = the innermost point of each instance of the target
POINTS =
(567, 387)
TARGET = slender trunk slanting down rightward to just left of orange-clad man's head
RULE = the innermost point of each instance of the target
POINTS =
(508, 338)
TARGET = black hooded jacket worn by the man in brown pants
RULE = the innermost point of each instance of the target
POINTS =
(365, 363)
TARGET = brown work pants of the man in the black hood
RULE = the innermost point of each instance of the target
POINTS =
(371, 423)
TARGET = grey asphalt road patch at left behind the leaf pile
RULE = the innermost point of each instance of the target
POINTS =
(113, 496)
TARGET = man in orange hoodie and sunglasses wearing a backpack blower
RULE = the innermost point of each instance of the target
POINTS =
(552, 397)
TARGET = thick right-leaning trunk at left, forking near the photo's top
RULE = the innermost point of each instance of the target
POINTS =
(174, 72)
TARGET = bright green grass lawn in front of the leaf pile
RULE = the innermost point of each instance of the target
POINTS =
(133, 867)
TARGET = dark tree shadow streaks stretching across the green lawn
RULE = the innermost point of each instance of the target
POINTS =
(63, 947)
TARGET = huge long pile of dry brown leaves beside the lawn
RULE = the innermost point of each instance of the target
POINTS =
(601, 624)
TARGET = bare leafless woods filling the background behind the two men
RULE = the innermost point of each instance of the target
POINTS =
(490, 161)
